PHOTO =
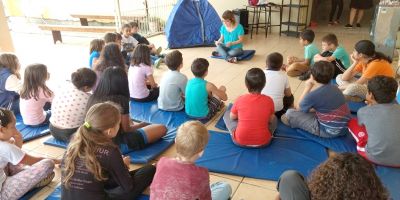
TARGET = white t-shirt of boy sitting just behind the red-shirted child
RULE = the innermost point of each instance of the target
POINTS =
(276, 83)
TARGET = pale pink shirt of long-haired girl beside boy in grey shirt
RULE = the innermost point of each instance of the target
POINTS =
(137, 77)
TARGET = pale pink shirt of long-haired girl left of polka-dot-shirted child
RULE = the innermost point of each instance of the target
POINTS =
(32, 110)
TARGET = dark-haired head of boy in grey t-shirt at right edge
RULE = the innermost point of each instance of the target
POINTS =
(382, 89)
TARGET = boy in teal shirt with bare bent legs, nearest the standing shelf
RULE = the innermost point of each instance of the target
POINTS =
(298, 66)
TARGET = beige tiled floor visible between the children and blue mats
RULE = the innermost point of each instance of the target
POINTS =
(64, 58)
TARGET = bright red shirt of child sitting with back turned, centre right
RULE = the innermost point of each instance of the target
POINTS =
(254, 112)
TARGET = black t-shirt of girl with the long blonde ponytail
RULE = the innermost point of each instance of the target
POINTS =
(83, 185)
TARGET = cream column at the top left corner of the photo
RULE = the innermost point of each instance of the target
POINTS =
(6, 44)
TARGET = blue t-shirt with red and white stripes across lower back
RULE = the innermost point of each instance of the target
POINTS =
(330, 107)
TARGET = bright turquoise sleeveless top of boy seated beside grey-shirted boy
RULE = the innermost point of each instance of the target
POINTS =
(196, 98)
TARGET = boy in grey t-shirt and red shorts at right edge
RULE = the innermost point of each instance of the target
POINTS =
(376, 130)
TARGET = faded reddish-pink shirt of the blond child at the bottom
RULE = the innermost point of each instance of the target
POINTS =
(175, 180)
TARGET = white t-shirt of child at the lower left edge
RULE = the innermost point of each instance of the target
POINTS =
(9, 153)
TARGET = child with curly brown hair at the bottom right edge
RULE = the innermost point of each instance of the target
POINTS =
(342, 176)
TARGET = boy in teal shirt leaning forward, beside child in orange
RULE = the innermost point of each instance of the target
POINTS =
(333, 52)
